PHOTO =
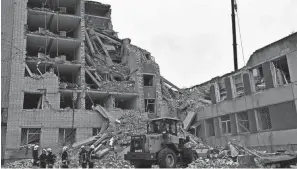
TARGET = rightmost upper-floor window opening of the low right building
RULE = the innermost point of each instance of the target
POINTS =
(282, 71)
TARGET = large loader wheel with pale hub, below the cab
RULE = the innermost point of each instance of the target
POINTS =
(167, 158)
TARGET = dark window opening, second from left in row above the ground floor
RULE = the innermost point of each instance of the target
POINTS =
(68, 100)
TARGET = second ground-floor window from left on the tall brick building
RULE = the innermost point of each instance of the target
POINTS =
(67, 136)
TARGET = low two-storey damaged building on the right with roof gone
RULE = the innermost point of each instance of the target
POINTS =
(256, 105)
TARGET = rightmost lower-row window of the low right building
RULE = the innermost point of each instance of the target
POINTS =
(264, 119)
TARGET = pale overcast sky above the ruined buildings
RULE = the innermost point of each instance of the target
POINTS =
(191, 40)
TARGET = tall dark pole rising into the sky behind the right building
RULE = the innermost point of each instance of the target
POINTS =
(233, 6)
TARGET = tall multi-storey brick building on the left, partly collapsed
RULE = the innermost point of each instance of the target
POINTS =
(59, 59)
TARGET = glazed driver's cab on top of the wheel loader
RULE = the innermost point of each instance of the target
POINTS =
(162, 126)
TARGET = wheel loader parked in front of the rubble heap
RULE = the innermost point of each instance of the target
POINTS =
(160, 146)
